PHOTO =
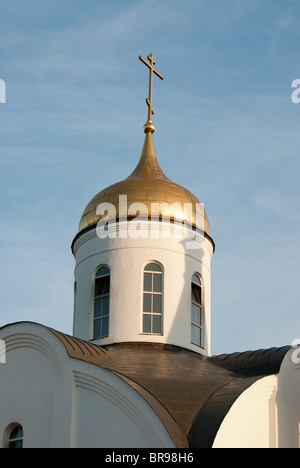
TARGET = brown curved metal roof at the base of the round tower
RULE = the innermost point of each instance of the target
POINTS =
(190, 393)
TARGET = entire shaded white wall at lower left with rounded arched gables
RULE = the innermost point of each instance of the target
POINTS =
(64, 402)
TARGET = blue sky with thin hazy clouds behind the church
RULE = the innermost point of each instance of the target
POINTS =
(226, 129)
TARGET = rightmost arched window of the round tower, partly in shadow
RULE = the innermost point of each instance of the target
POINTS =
(197, 325)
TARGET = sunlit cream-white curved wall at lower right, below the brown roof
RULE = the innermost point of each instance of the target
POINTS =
(267, 415)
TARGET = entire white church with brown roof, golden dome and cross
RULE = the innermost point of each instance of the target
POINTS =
(138, 371)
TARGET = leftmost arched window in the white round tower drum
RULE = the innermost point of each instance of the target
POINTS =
(101, 304)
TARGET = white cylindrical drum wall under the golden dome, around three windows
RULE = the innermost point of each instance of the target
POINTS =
(127, 259)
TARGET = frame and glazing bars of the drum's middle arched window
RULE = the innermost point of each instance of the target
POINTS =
(152, 293)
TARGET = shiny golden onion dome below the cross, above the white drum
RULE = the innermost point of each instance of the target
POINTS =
(149, 187)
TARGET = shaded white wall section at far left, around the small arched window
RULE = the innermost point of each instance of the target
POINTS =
(33, 387)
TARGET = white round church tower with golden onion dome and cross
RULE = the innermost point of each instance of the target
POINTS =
(143, 255)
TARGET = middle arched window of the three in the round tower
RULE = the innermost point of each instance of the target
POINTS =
(152, 299)
